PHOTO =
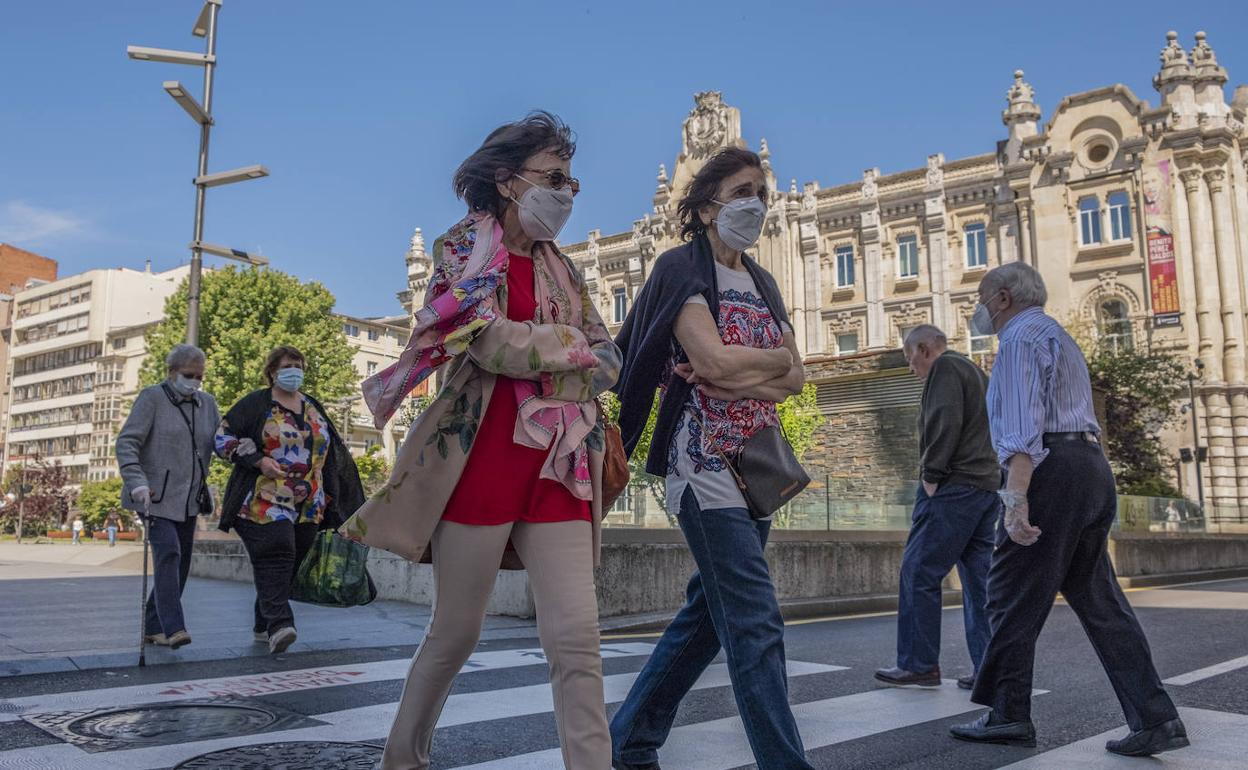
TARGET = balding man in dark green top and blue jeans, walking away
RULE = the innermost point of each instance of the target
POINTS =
(955, 511)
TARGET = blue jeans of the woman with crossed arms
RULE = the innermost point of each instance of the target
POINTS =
(731, 601)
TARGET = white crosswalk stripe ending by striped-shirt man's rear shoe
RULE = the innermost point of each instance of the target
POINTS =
(722, 744)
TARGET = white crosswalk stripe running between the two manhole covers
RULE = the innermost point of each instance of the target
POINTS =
(364, 723)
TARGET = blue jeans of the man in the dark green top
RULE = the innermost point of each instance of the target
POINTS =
(953, 527)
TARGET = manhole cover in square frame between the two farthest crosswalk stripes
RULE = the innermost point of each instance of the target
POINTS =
(168, 723)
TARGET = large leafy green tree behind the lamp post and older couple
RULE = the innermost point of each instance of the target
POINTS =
(244, 315)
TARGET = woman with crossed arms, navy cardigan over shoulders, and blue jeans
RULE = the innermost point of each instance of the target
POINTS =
(709, 329)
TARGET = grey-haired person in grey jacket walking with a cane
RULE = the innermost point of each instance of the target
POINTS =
(164, 452)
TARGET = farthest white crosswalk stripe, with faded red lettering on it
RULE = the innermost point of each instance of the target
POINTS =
(253, 686)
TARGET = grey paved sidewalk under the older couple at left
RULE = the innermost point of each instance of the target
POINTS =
(68, 608)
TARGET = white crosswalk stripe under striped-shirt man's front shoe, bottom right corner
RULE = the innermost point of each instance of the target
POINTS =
(1220, 742)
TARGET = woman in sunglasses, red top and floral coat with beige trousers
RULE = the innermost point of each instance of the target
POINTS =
(506, 465)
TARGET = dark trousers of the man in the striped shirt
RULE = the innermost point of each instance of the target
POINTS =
(1073, 502)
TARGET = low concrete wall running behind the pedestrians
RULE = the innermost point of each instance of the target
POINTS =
(646, 572)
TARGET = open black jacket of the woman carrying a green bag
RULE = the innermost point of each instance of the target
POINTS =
(343, 487)
